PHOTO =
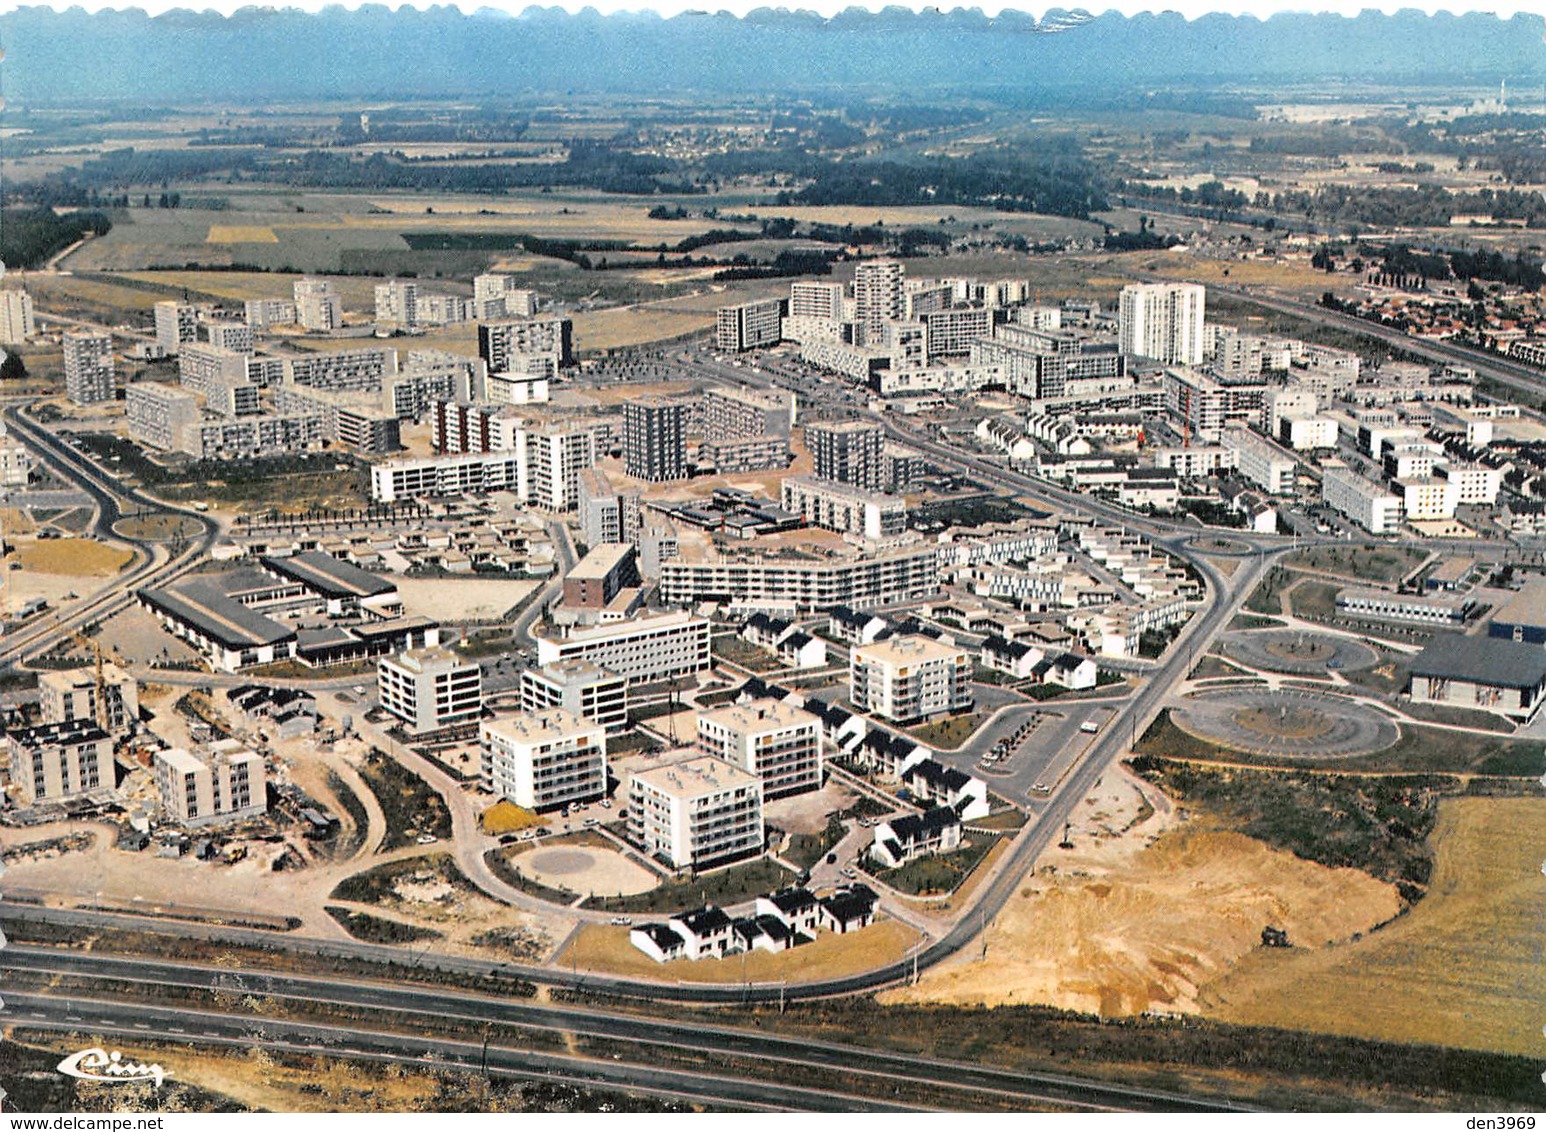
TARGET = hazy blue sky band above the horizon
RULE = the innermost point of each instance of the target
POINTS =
(373, 52)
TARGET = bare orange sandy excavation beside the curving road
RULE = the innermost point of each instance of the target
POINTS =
(1146, 912)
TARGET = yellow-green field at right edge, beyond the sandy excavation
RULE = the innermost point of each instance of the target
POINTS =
(1465, 967)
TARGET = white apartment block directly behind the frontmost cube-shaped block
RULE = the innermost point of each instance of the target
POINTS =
(775, 742)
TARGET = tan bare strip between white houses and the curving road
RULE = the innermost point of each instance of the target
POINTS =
(607, 950)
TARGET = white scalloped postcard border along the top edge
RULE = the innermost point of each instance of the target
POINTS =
(1190, 9)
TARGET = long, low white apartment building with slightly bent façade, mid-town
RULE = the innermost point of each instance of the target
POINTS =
(805, 585)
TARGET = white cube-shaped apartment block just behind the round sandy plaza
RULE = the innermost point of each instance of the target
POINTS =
(545, 760)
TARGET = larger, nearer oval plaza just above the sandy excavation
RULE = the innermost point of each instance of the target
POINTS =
(1298, 725)
